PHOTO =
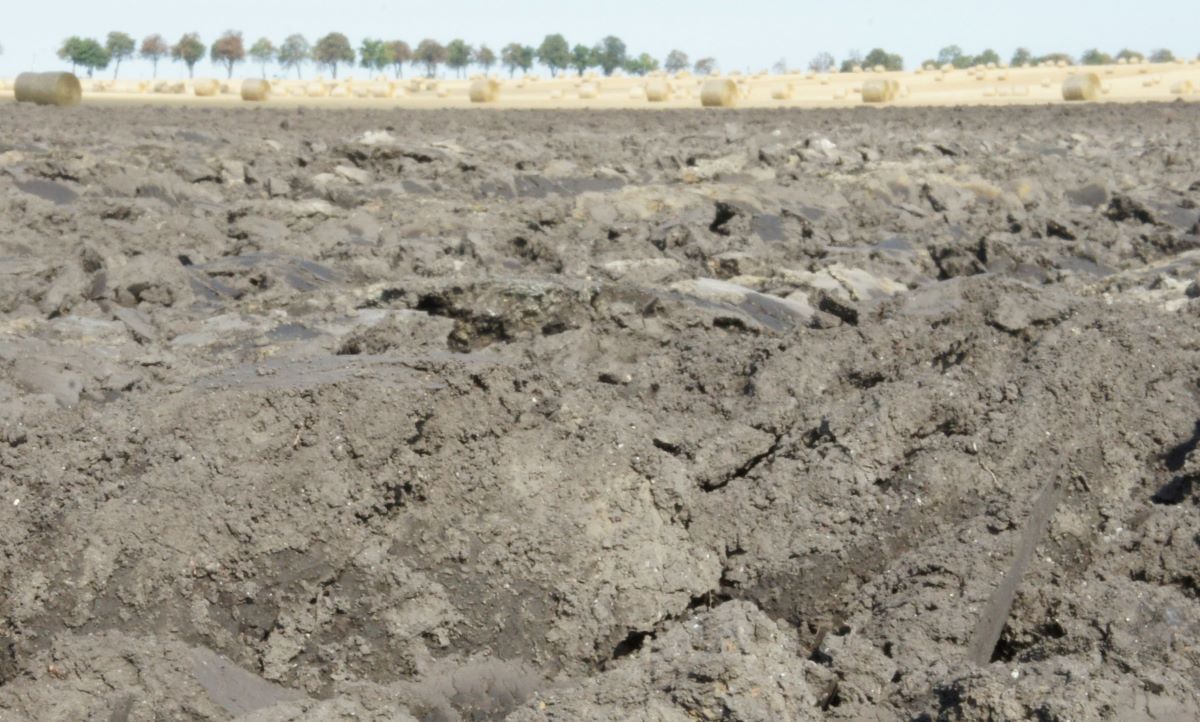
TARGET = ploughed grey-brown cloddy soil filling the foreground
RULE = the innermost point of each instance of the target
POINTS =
(550, 416)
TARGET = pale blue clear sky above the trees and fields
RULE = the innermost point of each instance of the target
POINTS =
(748, 35)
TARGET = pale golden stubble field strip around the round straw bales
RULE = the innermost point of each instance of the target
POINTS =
(1039, 86)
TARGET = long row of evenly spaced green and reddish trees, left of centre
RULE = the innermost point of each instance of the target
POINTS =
(334, 52)
